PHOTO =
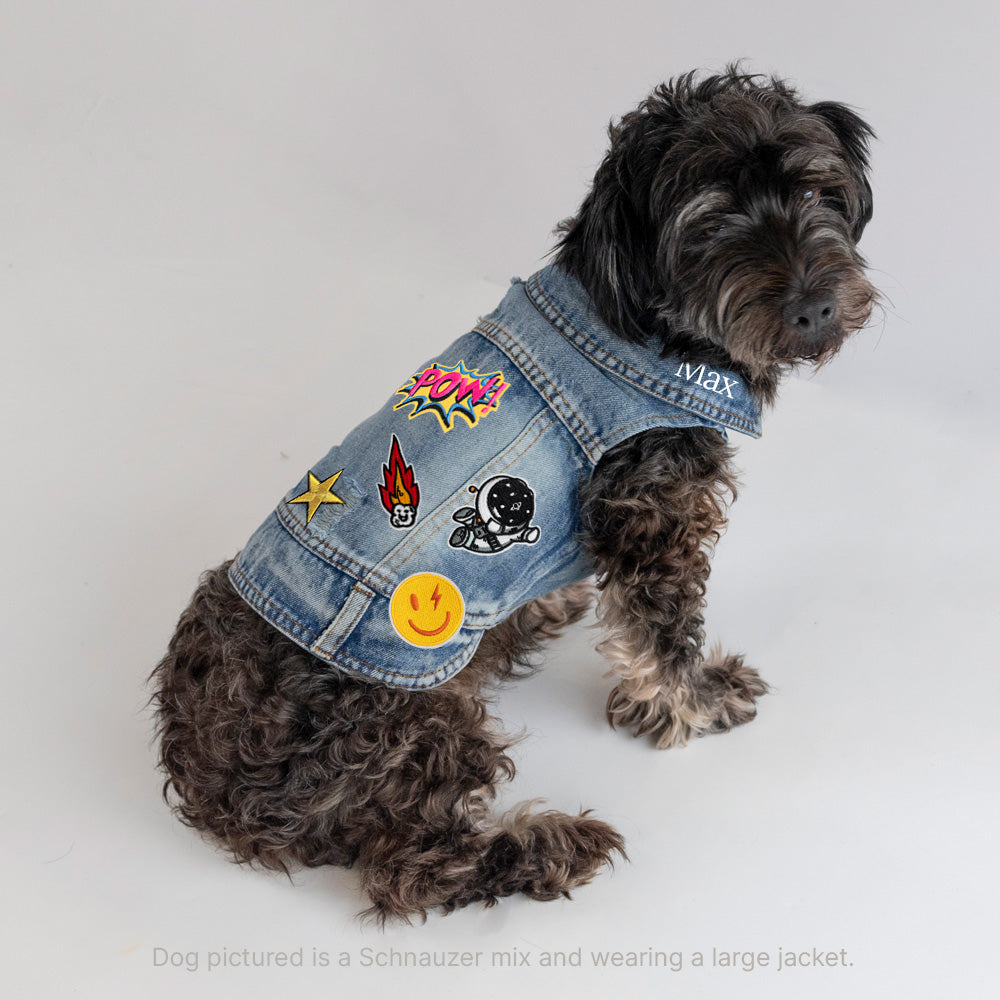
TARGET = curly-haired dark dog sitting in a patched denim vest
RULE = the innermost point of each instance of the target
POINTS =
(324, 699)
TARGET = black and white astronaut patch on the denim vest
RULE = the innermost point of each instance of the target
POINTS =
(501, 516)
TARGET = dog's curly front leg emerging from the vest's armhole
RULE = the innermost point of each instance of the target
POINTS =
(654, 508)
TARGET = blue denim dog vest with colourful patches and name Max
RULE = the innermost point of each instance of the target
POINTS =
(456, 502)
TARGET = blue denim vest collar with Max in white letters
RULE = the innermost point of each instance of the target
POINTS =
(717, 393)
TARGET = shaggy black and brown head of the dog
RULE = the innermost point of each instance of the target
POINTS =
(723, 222)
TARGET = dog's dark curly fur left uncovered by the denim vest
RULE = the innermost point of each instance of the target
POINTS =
(722, 228)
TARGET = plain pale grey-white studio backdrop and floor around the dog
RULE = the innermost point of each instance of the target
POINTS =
(229, 229)
